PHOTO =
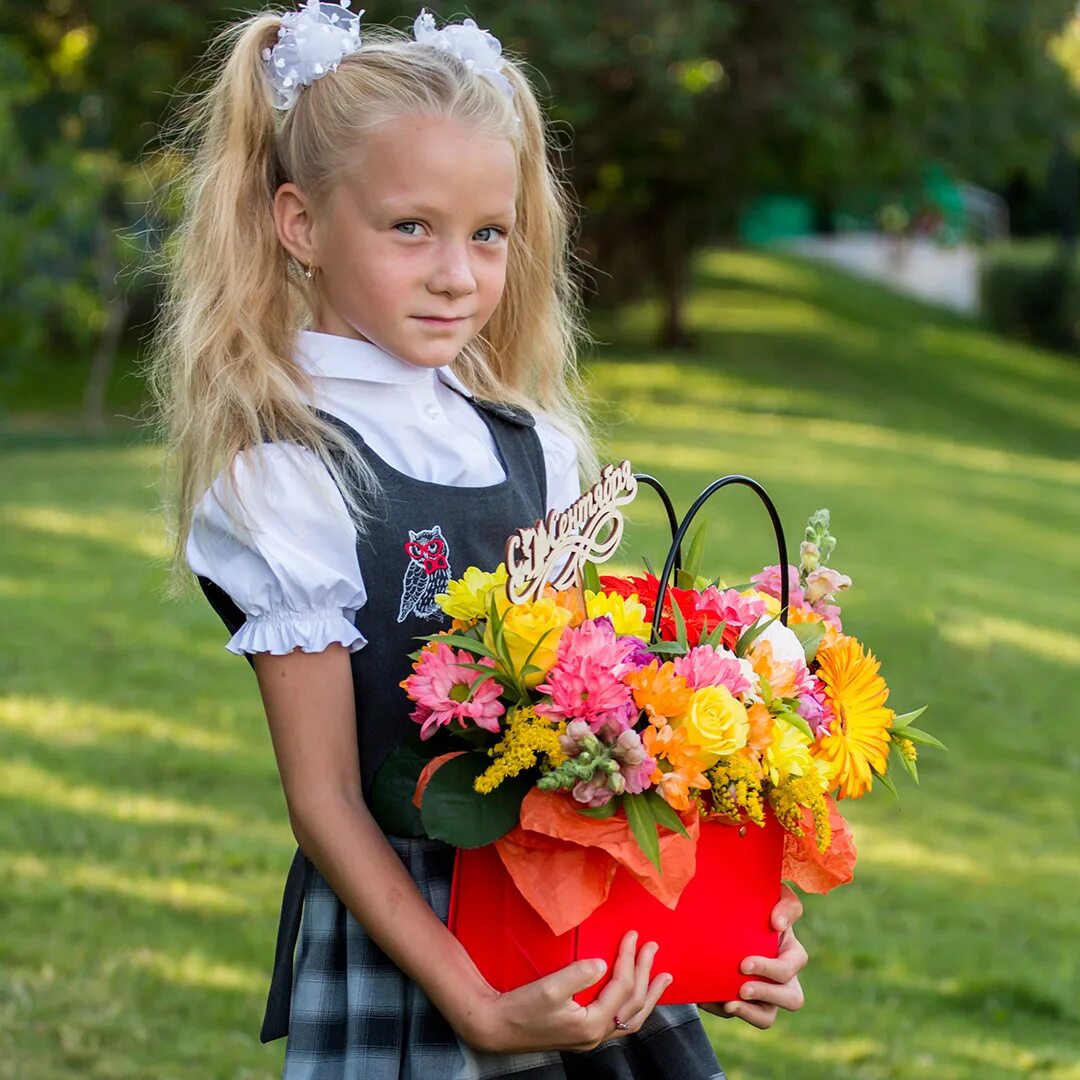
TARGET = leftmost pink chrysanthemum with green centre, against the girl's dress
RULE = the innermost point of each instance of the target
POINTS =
(443, 690)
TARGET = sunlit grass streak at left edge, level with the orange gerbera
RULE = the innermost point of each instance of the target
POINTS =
(73, 723)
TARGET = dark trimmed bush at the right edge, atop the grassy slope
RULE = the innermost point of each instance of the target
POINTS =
(1031, 291)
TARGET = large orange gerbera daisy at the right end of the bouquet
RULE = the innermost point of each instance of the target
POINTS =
(860, 738)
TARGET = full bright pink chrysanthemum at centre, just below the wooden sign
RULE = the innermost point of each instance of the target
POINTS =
(586, 683)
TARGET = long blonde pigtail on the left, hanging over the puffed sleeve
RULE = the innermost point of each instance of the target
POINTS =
(221, 368)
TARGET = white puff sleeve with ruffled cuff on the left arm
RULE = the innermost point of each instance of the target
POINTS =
(288, 559)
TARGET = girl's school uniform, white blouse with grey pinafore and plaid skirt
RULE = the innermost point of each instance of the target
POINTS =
(457, 476)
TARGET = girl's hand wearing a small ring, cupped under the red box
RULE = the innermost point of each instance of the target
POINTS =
(544, 1016)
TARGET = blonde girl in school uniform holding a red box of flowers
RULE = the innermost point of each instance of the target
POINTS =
(395, 197)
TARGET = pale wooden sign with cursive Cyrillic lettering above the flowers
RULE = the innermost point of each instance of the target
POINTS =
(534, 553)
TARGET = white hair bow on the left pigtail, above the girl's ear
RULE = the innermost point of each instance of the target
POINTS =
(312, 43)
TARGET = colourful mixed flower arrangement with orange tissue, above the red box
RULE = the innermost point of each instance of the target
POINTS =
(571, 703)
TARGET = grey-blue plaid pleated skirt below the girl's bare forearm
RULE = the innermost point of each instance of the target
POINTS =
(354, 1016)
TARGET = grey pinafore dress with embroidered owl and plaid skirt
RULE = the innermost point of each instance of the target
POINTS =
(348, 1012)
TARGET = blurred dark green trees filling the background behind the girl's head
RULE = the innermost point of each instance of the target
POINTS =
(678, 111)
